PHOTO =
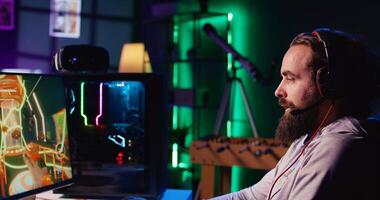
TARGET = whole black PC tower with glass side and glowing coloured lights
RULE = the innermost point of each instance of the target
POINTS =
(118, 136)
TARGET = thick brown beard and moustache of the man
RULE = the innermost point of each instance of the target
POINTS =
(293, 125)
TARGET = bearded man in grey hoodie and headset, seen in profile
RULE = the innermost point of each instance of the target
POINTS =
(326, 87)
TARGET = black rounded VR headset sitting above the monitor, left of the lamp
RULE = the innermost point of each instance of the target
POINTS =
(81, 58)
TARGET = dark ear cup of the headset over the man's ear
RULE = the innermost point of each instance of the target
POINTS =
(323, 82)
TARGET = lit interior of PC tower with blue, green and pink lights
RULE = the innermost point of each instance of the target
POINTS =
(109, 115)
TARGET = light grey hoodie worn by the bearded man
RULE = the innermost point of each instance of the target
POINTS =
(334, 166)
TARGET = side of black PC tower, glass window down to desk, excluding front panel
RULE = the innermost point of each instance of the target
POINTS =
(108, 136)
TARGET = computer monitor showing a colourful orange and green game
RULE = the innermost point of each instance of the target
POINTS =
(34, 144)
